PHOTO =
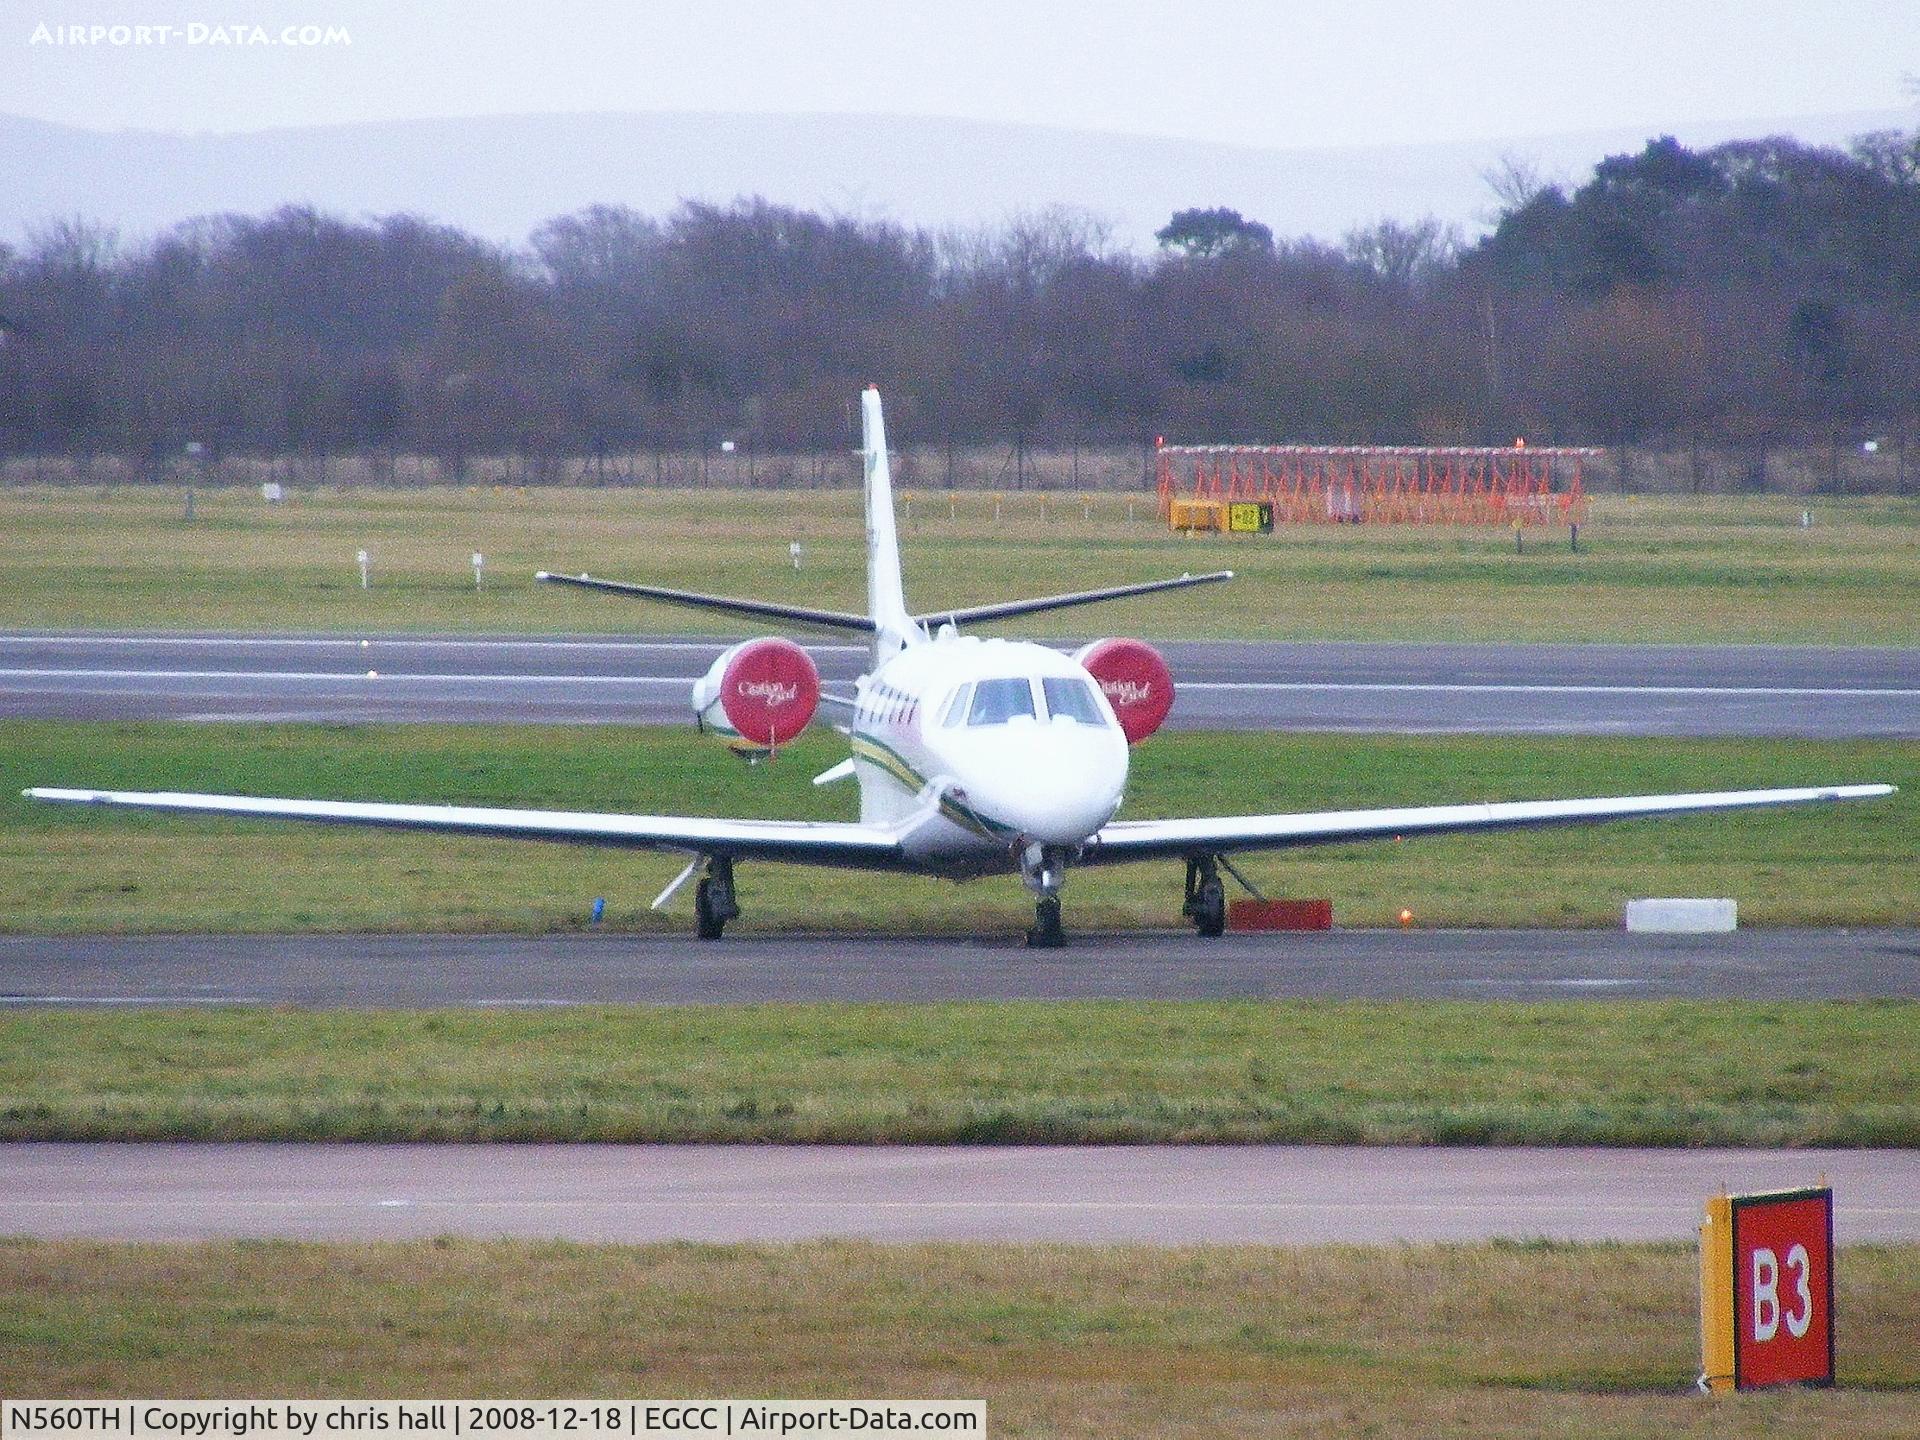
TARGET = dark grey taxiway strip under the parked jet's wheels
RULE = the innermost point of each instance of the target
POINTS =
(489, 971)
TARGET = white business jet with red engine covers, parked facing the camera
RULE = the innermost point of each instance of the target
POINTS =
(972, 756)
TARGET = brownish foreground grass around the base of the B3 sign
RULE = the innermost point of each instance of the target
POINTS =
(1072, 1341)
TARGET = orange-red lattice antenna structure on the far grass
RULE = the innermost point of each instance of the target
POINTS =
(1383, 485)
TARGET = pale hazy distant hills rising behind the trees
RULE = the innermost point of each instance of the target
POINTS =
(502, 176)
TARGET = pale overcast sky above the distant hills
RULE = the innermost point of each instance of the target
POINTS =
(1356, 72)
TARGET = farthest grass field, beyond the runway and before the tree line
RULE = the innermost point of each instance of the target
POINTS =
(1666, 569)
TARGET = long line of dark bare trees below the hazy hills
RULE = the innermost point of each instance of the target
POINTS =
(1756, 293)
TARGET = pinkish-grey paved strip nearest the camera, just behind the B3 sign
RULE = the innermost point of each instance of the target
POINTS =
(1155, 1195)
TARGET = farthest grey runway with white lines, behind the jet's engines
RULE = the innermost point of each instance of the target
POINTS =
(1587, 690)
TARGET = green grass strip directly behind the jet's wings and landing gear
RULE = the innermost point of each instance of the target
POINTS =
(93, 871)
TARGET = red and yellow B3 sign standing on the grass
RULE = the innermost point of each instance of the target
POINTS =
(1767, 1289)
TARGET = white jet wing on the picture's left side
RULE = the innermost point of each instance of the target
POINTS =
(804, 842)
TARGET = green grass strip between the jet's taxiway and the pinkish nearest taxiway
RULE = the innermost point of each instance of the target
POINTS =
(1727, 1072)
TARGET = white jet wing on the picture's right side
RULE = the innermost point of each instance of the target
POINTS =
(1143, 840)
